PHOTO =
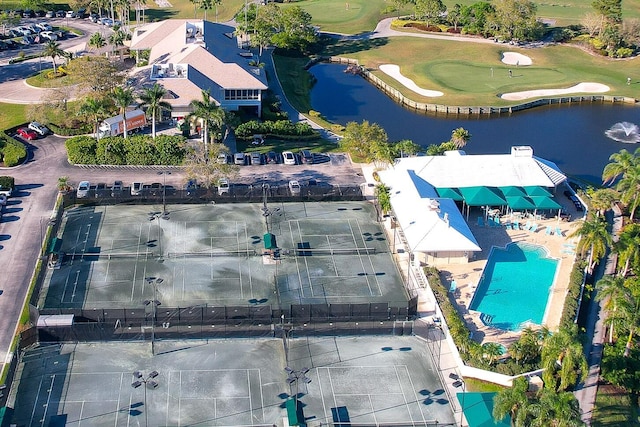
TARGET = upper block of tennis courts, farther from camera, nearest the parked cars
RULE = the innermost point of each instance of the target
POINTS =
(213, 254)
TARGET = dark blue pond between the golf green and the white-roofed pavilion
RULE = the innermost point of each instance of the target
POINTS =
(572, 136)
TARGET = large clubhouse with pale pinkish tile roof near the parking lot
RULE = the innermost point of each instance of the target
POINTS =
(190, 55)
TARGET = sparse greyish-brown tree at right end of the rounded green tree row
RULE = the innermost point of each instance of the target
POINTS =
(201, 165)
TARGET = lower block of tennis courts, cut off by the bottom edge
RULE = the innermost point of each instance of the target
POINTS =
(231, 382)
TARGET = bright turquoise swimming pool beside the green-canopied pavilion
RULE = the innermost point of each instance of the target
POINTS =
(514, 287)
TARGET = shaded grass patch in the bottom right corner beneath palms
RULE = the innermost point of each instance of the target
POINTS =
(614, 407)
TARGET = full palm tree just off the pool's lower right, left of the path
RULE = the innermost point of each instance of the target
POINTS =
(563, 359)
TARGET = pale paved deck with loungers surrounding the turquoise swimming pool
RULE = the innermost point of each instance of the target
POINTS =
(467, 276)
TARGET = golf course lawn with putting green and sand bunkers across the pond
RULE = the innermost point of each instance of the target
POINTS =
(463, 71)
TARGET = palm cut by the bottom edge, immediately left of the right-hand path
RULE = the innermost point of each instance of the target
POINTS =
(553, 409)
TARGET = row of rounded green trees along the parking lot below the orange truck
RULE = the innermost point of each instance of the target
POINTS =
(135, 150)
